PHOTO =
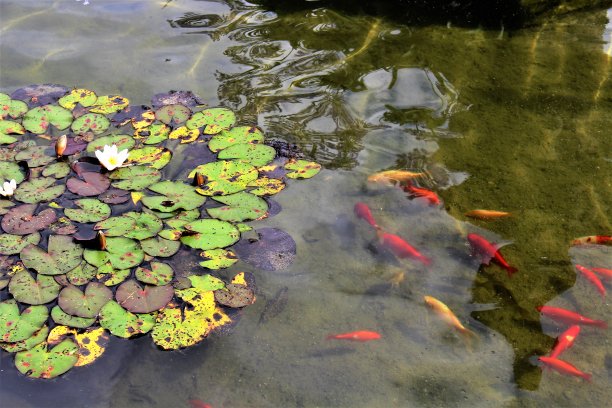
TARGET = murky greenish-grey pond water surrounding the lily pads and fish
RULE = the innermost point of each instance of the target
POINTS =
(515, 120)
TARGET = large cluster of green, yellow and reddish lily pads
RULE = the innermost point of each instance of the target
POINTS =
(86, 253)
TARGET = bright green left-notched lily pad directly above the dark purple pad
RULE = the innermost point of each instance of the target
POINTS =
(241, 206)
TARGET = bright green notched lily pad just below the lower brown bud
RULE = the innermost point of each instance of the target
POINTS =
(122, 253)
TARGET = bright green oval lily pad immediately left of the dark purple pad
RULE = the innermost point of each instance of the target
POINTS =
(210, 234)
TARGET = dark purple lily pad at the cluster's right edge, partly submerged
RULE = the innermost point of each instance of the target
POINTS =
(274, 250)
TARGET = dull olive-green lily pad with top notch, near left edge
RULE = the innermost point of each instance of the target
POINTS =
(26, 289)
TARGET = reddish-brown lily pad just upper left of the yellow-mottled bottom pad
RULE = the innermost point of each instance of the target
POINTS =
(137, 299)
